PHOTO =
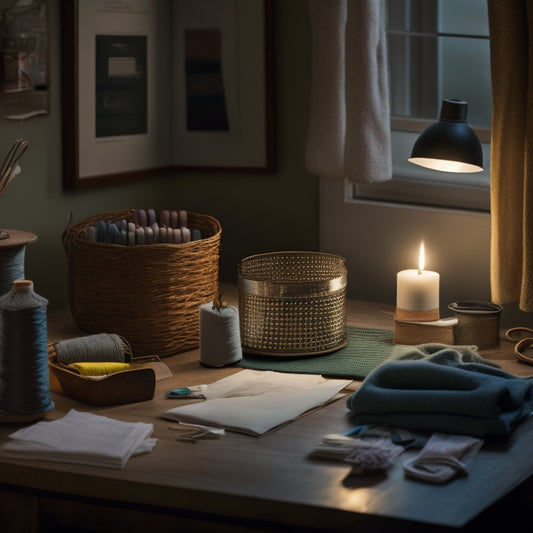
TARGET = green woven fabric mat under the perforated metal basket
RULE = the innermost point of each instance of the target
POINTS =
(366, 349)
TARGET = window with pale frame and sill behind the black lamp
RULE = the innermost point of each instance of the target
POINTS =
(437, 49)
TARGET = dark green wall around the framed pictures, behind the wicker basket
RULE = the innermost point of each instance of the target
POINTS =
(258, 212)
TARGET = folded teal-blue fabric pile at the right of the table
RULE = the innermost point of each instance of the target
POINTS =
(443, 393)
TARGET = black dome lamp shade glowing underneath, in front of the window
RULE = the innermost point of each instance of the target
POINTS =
(450, 144)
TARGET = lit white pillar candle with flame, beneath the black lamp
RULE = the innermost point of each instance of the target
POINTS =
(417, 292)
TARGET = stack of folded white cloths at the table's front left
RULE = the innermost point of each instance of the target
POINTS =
(83, 438)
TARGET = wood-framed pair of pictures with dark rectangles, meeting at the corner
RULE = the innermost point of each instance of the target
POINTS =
(142, 97)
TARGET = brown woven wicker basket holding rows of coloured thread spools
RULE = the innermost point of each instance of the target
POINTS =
(149, 294)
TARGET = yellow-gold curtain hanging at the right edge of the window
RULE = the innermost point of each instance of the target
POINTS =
(511, 53)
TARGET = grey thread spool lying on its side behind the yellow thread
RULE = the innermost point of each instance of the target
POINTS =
(101, 347)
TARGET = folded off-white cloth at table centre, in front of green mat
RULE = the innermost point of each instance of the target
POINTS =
(254, 402)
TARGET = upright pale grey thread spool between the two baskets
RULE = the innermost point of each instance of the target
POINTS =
(220, 339)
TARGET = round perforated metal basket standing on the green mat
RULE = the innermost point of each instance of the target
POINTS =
(292, 303)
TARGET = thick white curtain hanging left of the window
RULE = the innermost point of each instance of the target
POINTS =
(349, 124)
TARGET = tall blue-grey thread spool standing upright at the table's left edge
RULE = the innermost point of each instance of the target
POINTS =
(24, 381)
